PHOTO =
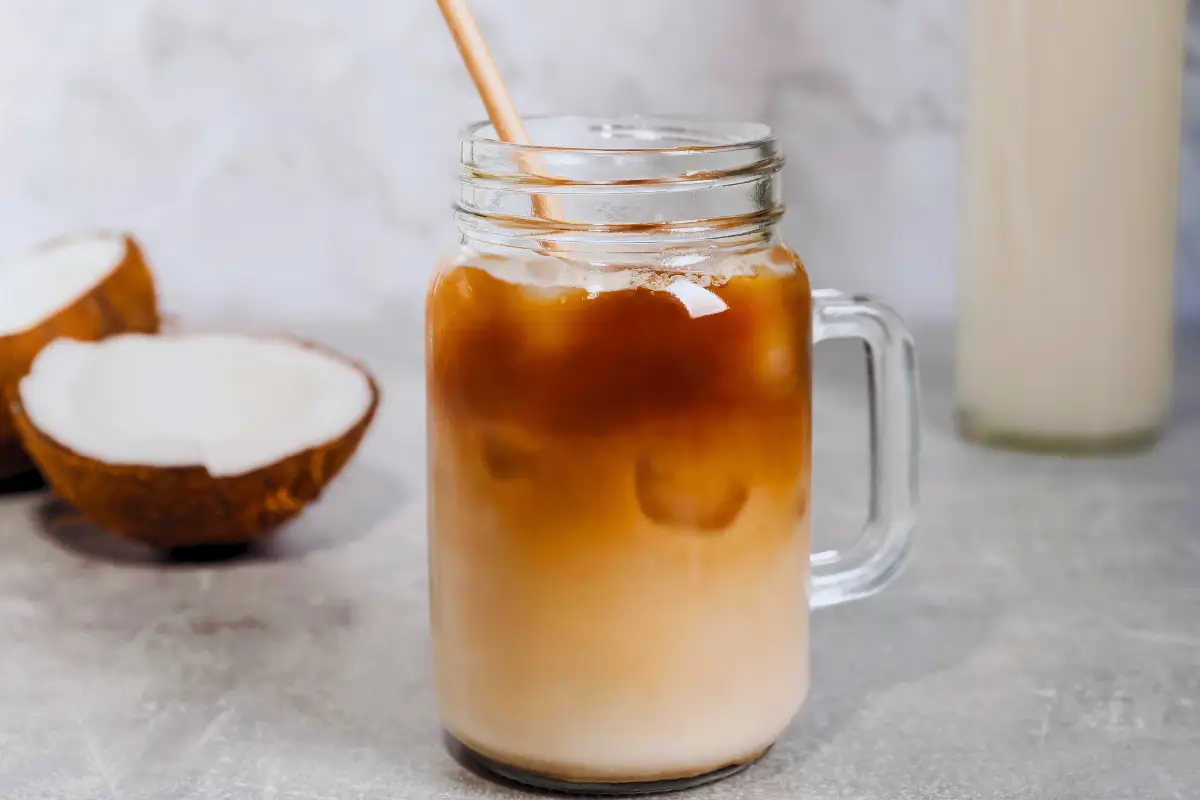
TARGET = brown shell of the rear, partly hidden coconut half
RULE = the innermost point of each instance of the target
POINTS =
(124, 303)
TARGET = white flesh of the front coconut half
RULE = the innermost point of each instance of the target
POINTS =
(229, 404)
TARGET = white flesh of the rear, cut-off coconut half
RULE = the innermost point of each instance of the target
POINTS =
(44, 282)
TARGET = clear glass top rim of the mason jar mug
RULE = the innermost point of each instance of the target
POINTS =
(701, 135)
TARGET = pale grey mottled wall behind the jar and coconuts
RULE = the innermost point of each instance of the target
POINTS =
(295, 159)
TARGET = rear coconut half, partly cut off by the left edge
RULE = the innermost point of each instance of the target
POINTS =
(85, 287)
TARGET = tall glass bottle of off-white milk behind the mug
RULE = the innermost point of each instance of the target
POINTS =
(1071, 193)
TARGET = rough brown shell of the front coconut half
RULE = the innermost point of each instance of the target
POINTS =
(185, 507)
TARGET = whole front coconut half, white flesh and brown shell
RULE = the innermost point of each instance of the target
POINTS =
(193, 440)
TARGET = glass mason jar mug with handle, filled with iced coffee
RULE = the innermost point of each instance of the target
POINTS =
(620, 394)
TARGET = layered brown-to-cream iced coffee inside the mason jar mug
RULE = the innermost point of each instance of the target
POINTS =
(619, 512)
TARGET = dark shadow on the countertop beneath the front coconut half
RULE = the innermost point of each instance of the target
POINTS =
(357, 502)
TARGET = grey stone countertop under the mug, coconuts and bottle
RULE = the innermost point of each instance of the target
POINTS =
(1043, 643)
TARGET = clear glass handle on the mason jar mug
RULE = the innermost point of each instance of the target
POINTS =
(877, 558)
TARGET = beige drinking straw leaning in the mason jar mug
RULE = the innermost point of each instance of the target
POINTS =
(494, 93)
